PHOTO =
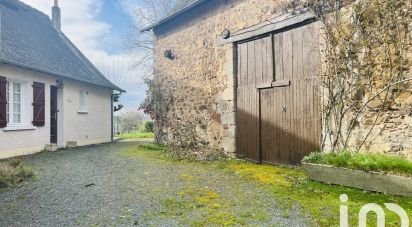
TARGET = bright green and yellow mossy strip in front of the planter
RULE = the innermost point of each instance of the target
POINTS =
(320, 201)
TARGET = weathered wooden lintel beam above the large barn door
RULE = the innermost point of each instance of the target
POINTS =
(275, 24)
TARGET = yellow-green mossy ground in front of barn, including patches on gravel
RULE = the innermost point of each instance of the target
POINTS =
(288, 186)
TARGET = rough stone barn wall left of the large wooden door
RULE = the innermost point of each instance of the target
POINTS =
(199, 82)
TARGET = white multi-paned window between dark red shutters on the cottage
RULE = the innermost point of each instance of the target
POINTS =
(14, 103)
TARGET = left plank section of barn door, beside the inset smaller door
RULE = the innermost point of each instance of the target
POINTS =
(255, 66)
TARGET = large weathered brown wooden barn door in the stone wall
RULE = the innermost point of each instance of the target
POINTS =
(278, 111)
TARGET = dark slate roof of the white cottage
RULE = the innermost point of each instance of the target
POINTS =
(29, 40)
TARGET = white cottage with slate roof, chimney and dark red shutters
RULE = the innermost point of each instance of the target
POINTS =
(51, 96)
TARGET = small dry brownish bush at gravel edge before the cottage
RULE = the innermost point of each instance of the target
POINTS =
(12, 173)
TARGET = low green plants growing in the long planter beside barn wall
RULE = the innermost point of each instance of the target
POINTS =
(363, 161)
